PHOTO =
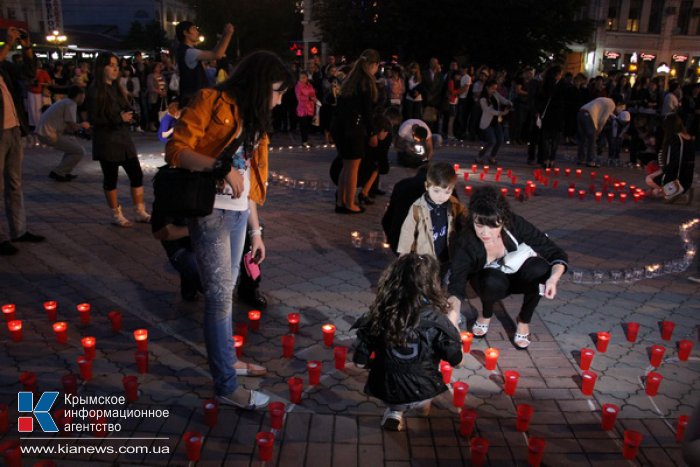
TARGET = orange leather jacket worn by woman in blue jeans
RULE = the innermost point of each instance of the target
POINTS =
(207, 126)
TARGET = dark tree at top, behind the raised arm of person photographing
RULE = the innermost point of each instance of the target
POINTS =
(260, 24)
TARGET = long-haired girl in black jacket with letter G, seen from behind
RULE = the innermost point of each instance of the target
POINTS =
(410, 330)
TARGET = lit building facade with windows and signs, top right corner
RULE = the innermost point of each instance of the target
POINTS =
(642, 38)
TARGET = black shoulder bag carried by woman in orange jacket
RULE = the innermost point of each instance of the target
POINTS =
(183, 193)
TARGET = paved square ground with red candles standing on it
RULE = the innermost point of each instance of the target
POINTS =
(623, 254)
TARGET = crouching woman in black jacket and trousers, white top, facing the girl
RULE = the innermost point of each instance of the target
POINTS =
(485, 256)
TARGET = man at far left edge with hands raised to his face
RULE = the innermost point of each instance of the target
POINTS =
(15, 125)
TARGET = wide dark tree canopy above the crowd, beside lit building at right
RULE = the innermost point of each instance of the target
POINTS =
(502, 33)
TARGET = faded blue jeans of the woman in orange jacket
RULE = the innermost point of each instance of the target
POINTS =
(218, 241)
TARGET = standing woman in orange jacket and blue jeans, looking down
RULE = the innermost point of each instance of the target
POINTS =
(238, 110)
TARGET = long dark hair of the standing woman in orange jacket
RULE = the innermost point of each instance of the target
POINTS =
(250, 85)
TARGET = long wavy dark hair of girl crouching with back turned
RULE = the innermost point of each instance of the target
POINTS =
(405, 288)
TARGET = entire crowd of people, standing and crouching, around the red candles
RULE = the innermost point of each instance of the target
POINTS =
(443, 246)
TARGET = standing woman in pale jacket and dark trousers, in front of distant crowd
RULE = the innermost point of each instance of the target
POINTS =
(493, 108)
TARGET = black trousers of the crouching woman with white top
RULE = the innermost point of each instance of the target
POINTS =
(493, 285)
